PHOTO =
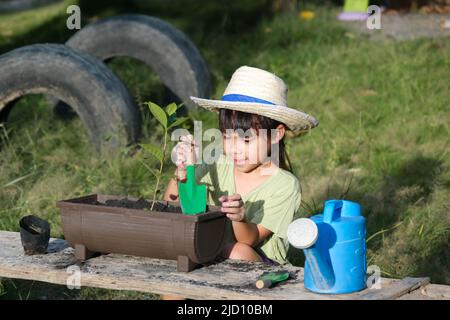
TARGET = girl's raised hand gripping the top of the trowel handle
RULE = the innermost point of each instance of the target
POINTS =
(185, 154)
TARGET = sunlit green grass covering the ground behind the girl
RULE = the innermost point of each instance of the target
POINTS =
(383, 138)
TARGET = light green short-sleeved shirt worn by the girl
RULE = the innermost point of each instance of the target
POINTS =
(272, 204)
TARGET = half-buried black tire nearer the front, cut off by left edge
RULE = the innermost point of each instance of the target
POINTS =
(98, 97)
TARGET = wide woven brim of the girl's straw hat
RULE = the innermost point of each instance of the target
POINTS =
(295, 120)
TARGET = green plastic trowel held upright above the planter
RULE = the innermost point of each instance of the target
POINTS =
(192, 196)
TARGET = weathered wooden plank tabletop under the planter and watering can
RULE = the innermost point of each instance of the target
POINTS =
(224, 280)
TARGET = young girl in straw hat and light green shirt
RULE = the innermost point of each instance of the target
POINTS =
(254, 186)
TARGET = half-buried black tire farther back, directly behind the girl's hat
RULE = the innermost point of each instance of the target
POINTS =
(165, 49)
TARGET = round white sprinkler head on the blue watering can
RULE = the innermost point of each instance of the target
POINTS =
(302, 233)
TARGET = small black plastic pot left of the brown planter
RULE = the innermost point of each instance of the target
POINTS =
(35, 234)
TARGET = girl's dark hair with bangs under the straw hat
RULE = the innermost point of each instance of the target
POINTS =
(232, 119)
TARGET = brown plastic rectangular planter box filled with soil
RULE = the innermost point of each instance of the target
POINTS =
(90, 227)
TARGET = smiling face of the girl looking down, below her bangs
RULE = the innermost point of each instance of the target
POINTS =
(248, 149)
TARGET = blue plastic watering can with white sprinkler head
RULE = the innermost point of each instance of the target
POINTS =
(334, 244)
